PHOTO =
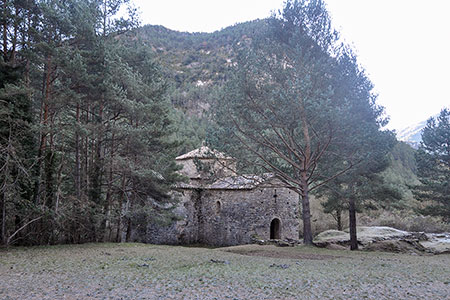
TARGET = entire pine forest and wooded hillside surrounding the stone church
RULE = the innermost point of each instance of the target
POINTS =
(94, 110)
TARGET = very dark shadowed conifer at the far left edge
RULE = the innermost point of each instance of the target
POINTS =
(16, 143)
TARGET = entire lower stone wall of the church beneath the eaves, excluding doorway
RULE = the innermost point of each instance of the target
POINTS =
(229, 217)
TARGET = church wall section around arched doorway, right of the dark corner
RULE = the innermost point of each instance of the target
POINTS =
(233, 217)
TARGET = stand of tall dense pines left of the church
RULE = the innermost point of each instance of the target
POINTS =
(103, 131)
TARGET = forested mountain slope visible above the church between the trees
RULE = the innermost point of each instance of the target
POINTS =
(196, 66)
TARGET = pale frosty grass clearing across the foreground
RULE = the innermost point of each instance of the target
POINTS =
(138, 271)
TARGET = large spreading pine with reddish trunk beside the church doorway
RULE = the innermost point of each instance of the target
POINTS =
(278, 107)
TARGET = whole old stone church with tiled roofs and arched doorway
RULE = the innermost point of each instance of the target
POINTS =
(219, 208)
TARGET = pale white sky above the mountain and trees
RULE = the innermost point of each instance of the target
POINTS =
(404, 45)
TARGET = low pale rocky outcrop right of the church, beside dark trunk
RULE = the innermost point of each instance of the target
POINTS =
(380, 238)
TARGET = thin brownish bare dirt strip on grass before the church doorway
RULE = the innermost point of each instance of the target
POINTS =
(276, 252)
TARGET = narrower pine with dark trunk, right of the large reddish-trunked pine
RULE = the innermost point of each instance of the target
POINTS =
(361, 143)
